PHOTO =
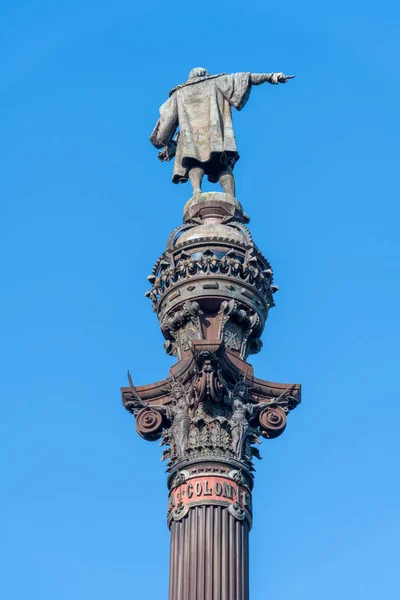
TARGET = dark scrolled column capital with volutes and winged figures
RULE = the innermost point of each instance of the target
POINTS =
(210, 410)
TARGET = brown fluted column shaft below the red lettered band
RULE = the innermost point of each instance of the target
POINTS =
(209, 556)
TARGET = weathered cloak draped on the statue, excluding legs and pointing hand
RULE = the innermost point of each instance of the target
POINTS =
(202, 111)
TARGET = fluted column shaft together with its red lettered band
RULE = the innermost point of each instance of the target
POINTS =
(210, 518)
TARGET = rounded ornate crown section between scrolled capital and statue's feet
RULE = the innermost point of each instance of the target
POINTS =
(212, 281)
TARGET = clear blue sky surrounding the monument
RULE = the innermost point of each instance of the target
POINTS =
(86, 209)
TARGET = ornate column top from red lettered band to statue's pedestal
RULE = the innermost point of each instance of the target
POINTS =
(212, 290)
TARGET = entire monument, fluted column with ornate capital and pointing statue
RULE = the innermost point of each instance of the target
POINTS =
(212, 290)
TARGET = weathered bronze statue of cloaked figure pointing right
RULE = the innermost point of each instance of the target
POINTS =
(202, 109)
